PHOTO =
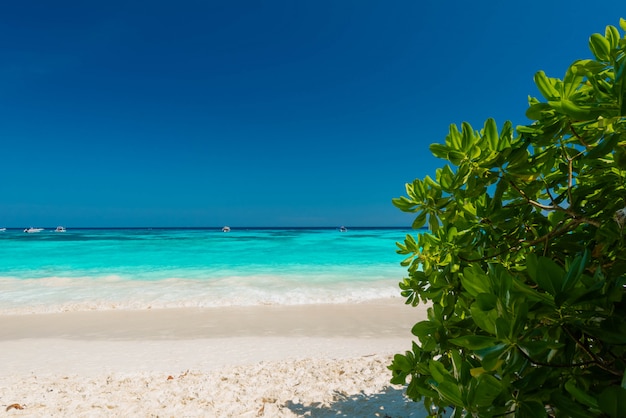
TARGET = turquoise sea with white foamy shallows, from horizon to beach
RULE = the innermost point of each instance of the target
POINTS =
(99, 269)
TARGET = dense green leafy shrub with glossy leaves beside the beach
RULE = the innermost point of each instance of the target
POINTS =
(524, 264)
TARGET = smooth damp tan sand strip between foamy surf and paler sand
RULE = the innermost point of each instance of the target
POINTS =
(389, 317)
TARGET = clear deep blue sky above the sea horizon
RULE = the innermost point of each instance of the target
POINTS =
(257, 113)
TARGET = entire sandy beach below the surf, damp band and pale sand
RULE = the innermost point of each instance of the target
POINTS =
(276, 361)
